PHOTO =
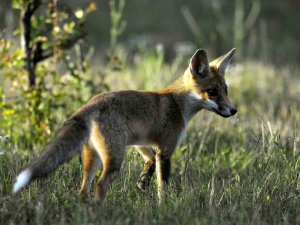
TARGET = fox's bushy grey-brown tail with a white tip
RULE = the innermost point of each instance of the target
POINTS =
(69, 141)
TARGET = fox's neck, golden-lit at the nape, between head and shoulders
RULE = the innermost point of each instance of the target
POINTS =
(188, 101)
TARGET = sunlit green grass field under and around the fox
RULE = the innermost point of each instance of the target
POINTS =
(241, 170)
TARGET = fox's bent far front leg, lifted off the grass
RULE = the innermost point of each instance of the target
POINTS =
(148, 155)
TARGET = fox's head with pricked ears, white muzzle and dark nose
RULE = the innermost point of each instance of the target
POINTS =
(206, 82)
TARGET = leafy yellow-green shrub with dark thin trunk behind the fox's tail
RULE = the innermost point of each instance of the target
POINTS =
(38, 89)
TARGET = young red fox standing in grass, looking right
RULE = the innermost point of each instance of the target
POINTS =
(102, 128)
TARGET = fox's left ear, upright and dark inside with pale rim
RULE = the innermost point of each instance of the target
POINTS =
(199, 64)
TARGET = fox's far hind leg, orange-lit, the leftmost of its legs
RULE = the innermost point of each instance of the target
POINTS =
(91, 164)
